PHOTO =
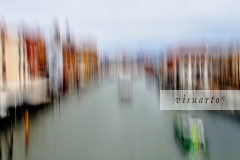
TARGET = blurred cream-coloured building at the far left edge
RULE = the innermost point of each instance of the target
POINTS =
(12, 72)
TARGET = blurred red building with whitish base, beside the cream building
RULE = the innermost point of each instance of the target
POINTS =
(36, 86)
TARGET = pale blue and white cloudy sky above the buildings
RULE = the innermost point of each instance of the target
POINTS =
(132, 24)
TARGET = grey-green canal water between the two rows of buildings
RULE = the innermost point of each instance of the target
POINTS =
(94, 124)
